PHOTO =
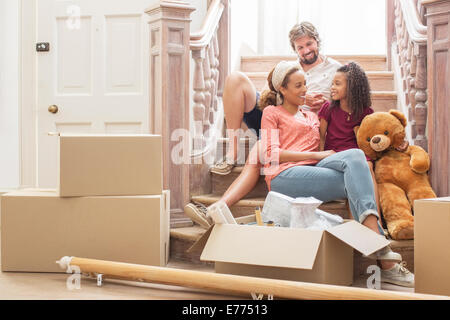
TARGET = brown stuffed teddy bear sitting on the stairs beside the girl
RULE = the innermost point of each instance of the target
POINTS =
(400, 169)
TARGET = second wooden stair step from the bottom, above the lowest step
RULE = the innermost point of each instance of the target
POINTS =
(247, 206)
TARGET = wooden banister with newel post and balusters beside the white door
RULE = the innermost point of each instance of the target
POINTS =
(186, 121)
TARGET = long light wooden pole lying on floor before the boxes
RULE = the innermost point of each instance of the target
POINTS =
(234, 284)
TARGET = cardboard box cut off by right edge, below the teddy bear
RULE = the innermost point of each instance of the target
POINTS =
(432, 246)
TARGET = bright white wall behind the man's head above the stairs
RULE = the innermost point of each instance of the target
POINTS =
(345, 26)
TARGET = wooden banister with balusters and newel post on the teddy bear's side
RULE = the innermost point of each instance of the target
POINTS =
(422, 45)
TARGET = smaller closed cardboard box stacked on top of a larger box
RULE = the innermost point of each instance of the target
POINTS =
(109, 165)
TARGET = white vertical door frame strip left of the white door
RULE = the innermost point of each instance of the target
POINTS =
(27, 94)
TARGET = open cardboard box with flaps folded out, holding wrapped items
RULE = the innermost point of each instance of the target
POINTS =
(288, 253)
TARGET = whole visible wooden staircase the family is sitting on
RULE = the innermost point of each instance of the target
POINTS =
(257, 69)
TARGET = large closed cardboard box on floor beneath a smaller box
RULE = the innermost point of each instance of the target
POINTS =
(38, 228)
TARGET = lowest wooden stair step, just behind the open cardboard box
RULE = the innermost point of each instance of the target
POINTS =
(182, 239)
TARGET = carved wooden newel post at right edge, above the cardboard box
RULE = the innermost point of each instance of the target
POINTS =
(438, 74)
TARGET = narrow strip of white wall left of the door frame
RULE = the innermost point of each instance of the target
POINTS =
(9, 94)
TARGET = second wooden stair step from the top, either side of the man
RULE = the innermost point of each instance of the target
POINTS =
(379, 80)
